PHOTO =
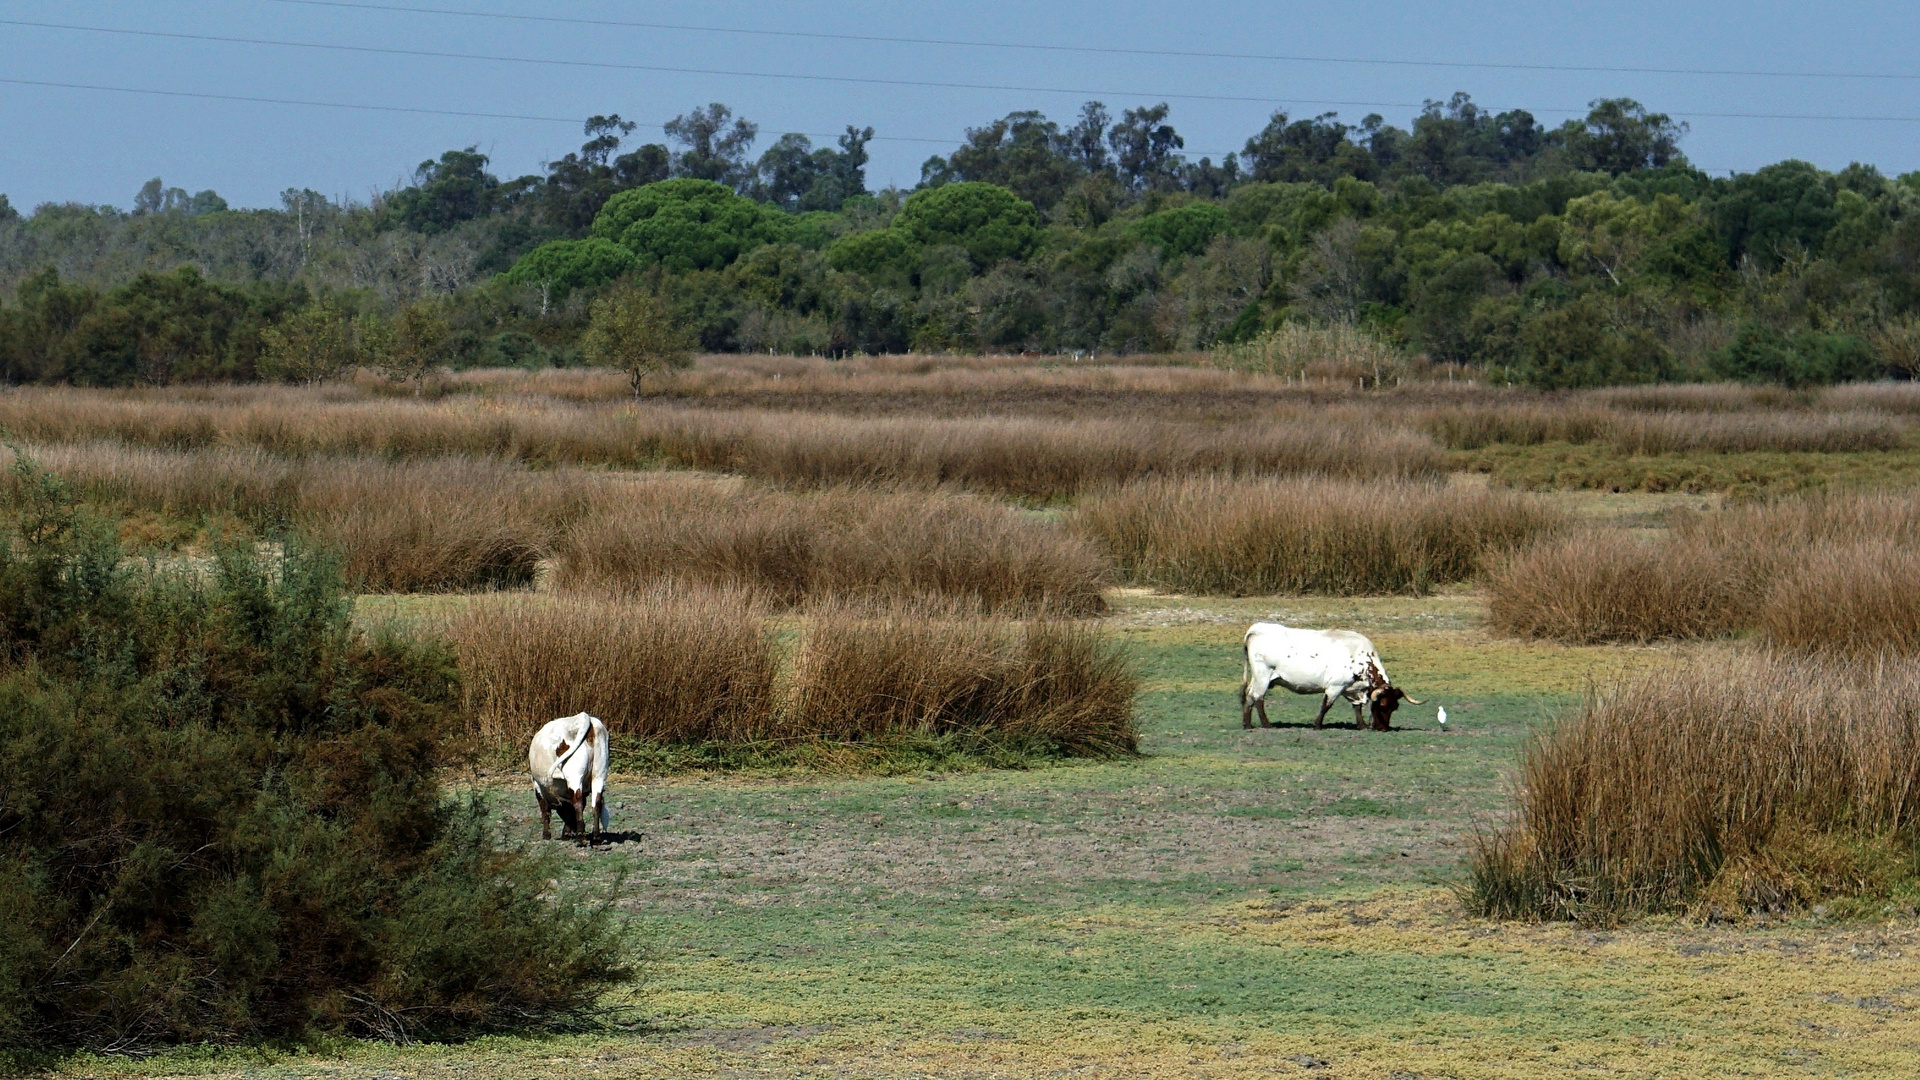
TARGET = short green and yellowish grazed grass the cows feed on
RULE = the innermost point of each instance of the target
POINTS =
(1232, 904)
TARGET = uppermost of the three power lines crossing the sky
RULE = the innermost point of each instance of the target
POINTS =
(1101, 51)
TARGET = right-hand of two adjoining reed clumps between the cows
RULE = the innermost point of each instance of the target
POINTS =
(871, 674)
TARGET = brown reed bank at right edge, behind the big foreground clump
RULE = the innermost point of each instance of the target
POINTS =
(1813, 574)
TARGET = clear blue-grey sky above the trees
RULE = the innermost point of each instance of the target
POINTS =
(72, 134)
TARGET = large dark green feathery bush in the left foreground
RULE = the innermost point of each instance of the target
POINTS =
(220, 816)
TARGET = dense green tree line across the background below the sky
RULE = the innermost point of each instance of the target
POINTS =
(1562, 257)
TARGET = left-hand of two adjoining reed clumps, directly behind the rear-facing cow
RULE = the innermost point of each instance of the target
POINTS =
(671, 664)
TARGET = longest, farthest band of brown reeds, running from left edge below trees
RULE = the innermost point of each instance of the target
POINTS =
(1017, 456)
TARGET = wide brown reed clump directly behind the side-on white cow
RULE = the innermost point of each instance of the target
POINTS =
(1295, 537)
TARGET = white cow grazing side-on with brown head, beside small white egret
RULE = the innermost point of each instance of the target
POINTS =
(1337, 664)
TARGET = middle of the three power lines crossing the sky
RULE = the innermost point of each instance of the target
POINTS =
(855, 80)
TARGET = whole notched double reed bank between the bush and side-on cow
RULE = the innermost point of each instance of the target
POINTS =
(698, 666)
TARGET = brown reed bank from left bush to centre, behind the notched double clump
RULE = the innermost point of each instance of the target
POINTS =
(458, 524)
